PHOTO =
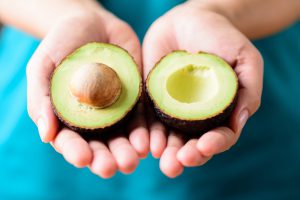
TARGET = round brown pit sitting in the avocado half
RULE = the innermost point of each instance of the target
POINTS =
(96, 85)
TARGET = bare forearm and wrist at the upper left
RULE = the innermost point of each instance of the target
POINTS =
(38, 17)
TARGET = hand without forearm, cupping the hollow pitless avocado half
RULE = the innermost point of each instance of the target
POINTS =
(195, 29)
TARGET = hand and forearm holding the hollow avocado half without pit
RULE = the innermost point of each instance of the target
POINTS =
(222, 28)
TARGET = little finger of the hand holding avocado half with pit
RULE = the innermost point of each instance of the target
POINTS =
(138, 132)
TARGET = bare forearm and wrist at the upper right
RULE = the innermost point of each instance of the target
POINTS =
(254, 18)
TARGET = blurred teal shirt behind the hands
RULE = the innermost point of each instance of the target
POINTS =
(265, 163)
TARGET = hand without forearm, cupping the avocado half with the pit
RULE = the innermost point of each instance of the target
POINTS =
(67, 35)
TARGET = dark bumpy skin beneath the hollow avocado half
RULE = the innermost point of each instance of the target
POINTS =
(193, 128)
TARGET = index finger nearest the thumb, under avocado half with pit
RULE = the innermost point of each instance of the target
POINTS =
(73, 147)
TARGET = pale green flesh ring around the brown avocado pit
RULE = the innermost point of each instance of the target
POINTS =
(78, 115)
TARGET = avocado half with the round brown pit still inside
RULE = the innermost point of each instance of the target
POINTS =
(95, 88)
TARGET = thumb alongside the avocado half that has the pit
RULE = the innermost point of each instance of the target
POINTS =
(39, 107)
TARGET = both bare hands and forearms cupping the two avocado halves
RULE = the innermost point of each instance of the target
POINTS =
(199, 25)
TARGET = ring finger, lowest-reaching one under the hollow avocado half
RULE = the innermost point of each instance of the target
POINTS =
(169, 163)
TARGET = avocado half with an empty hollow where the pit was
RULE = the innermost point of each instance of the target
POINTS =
(193, 93)
